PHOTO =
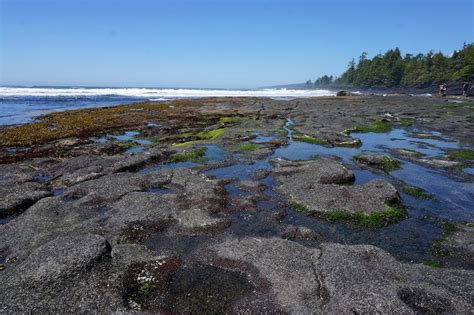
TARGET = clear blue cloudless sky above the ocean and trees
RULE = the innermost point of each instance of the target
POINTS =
(218, 44)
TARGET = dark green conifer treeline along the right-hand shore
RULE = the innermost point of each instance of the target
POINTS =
(392, 70)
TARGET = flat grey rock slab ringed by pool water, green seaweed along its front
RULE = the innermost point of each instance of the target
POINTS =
(316, 185)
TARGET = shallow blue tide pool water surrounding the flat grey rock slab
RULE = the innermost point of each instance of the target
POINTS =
(409, 239)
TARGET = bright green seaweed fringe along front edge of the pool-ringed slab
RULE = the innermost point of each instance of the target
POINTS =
(376, 219)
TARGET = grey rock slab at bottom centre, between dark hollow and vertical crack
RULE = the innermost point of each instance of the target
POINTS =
(288, 267)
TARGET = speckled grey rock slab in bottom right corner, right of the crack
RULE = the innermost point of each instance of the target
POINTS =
(366, 279)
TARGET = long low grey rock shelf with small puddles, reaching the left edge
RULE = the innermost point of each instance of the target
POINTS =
(183, 198)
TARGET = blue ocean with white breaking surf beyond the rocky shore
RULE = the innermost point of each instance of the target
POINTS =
(21, 104)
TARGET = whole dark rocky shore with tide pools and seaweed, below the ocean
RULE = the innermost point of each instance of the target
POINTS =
(354, 204)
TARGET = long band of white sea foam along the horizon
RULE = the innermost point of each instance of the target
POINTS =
(158, 94)
